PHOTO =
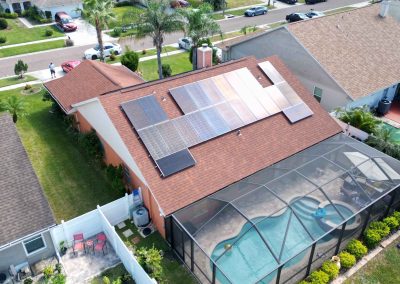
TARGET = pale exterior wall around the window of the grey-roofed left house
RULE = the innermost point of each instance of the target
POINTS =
(16, 255)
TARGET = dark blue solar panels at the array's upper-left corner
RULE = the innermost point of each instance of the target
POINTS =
(144, 112)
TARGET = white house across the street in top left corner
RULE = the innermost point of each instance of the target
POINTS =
(50, 6)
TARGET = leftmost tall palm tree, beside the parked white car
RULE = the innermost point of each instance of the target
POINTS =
(99, 13)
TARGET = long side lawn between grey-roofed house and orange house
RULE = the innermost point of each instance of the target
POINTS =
(72, 184)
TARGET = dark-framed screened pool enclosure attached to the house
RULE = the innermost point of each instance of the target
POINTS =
(282, 222)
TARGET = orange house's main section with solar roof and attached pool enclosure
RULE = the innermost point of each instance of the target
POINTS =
(241, 169)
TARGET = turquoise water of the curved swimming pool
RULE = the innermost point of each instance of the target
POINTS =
(249, 259)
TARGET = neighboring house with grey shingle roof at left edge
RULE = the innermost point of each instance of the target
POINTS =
(26, 217)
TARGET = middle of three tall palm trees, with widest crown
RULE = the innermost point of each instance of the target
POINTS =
(156, 21)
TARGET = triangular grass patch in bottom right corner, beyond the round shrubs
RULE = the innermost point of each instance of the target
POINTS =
(384, 268)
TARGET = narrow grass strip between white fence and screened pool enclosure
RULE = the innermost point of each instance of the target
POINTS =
(173, 271)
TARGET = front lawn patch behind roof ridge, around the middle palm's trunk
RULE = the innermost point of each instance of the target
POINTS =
(179, 63)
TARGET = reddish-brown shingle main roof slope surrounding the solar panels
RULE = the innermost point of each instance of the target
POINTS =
(230, 157)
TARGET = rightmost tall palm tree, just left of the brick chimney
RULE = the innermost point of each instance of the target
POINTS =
(199, 24)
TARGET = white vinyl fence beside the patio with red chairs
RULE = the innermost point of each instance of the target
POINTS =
(103, 220)
